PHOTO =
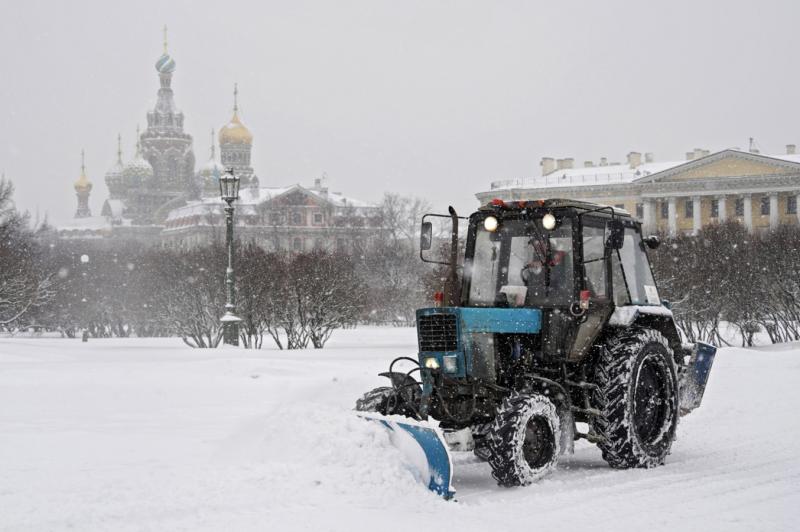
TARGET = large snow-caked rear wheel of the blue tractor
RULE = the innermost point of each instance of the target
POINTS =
(638, 399)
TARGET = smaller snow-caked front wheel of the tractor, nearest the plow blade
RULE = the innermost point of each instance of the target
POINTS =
(523, 441)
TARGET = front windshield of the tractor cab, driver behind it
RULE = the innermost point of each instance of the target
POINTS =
(521, 264)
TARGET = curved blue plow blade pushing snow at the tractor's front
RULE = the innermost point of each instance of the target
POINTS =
(433, 466)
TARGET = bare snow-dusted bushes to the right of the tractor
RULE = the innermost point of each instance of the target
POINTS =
(725, 274)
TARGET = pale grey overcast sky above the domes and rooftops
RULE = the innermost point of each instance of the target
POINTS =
(433, 99)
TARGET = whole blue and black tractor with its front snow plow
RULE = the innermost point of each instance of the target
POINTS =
(552, 318)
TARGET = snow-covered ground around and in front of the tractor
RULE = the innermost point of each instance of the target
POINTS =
(151, 435)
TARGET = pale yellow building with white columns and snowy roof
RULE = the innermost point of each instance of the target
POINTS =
(760, 191)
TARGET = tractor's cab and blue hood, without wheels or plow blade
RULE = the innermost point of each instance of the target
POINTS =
(539, 282)
